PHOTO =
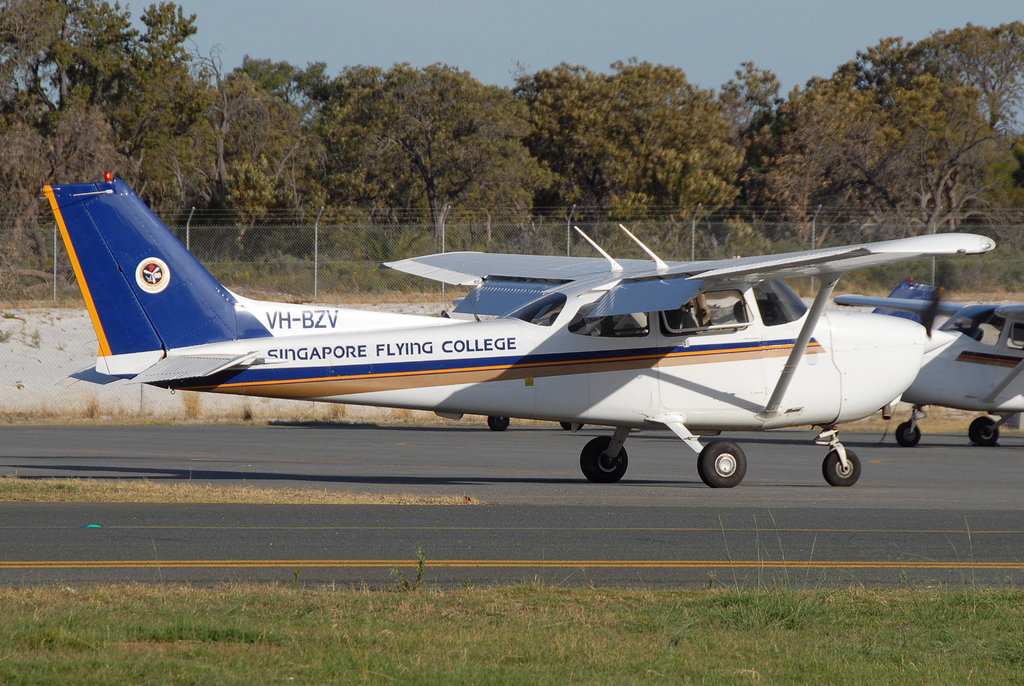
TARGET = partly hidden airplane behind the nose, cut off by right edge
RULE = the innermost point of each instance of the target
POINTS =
(979, 367)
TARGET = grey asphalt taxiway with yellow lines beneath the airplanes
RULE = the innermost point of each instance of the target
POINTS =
(941, 513)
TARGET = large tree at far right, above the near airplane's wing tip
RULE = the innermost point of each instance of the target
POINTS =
(904, 134)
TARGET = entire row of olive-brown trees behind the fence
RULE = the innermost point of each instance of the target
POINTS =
(925, 136)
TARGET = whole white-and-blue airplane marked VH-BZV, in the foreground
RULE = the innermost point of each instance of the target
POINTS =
(699, 348)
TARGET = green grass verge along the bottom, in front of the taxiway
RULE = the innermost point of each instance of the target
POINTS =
(529, 635)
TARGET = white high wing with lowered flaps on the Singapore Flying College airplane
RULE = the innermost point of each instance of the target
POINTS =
(505, 282)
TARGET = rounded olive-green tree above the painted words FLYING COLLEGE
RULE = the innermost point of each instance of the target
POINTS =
(430, 139)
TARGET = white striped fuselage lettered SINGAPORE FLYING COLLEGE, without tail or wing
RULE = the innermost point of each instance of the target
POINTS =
(716, 379)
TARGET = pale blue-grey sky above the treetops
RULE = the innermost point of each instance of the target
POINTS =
(796, 39)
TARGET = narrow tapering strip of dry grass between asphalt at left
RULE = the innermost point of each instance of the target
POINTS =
(16, 490)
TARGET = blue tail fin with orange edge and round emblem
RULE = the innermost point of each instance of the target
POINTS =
(146, 293)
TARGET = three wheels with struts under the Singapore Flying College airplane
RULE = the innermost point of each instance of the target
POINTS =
(721, 464)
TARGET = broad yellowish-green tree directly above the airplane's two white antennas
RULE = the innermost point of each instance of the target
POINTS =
(641, 139)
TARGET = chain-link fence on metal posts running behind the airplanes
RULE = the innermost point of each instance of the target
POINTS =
(304, 260)
